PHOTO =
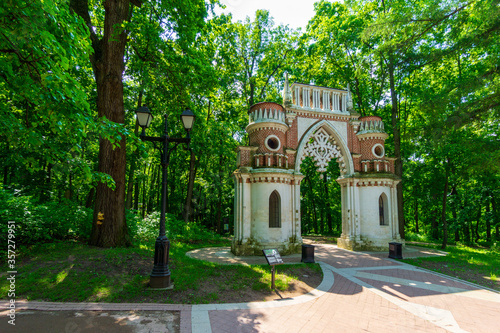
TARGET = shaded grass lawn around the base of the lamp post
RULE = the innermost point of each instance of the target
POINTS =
(75, 272)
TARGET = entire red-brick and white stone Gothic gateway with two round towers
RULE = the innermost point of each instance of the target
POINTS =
(318, 122)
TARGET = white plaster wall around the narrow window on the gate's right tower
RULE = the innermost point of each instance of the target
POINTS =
(370, 221)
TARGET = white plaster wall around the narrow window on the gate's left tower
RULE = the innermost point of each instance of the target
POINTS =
(260, 213)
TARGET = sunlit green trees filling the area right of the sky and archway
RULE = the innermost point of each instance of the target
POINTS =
(439, 64)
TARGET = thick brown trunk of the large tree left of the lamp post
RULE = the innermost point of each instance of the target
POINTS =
(108, 65)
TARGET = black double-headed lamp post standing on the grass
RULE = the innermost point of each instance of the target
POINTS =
(160, 276)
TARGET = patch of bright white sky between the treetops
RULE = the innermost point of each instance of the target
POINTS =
(294, 13)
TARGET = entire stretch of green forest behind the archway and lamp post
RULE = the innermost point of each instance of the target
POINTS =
(72, 73)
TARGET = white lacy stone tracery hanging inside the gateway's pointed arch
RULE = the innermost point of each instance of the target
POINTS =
(322, 149)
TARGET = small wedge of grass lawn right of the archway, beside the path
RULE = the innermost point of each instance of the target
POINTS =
(477, 265)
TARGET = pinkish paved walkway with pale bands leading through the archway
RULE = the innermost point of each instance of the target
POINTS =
(360, 292)
